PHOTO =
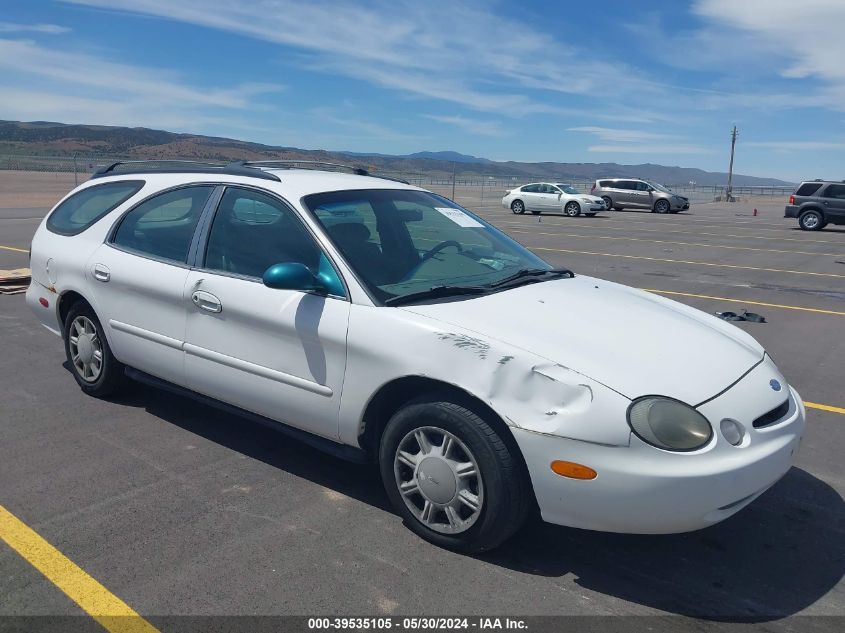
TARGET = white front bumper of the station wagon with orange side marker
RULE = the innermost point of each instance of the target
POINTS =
(643, 490)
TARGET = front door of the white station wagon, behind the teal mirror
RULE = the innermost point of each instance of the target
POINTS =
(278, 353)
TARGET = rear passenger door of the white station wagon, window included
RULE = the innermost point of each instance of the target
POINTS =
(138, 277)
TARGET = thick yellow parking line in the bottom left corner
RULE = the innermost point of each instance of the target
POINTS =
(110, 611)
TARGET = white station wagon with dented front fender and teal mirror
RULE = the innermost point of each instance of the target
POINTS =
(383, 322)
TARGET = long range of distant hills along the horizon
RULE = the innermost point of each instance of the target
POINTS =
(45, 138)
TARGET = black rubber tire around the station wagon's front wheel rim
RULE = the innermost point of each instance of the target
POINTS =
(505, 497)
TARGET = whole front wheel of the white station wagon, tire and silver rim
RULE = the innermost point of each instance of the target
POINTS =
(451, 477)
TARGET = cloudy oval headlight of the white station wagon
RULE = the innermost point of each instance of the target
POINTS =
(668, 424)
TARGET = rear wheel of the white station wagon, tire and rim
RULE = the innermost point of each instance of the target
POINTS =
(97, 372)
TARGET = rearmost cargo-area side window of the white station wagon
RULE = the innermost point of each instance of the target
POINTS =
(84, 208)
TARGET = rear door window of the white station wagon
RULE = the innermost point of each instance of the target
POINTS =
(163, 226)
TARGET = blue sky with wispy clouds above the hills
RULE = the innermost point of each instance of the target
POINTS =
(604, 81)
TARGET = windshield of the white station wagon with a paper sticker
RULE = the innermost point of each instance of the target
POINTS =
(401, 242)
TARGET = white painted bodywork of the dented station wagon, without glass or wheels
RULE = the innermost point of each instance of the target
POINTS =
(563, 392)
